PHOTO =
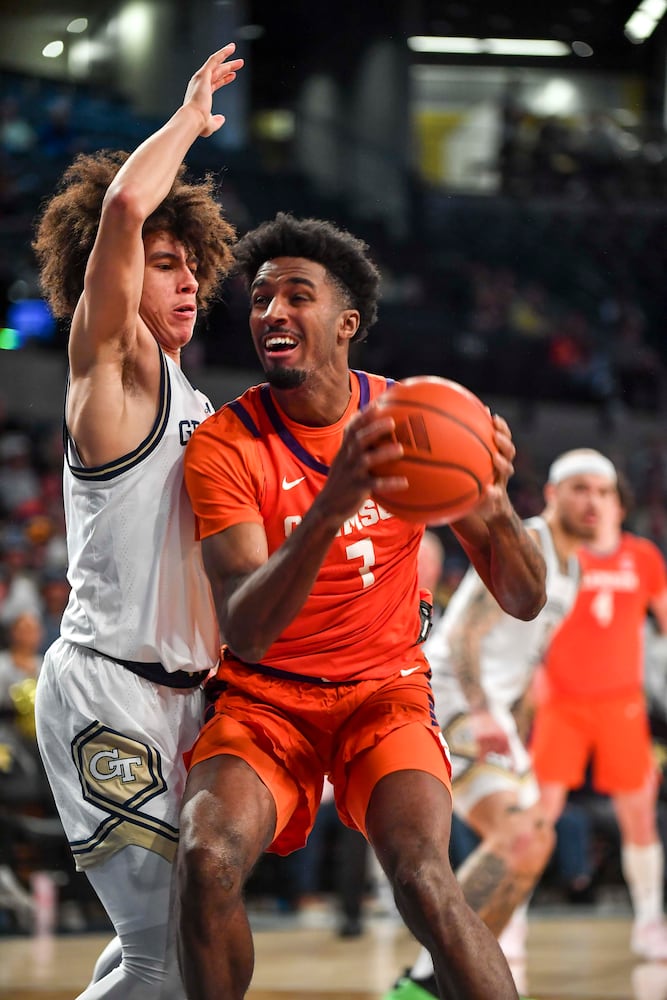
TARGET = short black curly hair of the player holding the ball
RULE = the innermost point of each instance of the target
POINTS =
(343, 255)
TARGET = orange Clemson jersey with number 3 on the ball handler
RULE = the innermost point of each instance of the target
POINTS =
(251, 463)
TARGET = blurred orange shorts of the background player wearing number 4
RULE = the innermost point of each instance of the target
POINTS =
(612, 732)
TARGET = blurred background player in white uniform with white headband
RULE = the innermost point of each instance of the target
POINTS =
(483, 661)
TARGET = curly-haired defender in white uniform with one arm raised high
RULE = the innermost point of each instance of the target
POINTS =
(129, 251)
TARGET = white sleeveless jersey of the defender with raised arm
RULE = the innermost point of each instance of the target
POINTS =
(139, 590)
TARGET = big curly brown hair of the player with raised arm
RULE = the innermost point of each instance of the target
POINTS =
(66, 230)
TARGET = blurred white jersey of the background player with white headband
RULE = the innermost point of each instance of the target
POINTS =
(511, 649)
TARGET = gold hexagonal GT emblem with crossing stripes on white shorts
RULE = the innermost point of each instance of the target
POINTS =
(119, 775)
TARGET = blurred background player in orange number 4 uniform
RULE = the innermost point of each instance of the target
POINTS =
(593, 705)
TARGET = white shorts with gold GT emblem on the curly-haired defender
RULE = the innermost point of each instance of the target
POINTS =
(112, 744)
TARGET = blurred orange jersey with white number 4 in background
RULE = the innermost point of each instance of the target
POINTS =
(598, 648)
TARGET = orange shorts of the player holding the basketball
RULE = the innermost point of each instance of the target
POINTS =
(292, 733)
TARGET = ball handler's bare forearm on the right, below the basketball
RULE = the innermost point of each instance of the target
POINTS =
(509, 562)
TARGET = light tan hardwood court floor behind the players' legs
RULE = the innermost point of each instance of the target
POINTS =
(571, 957)
